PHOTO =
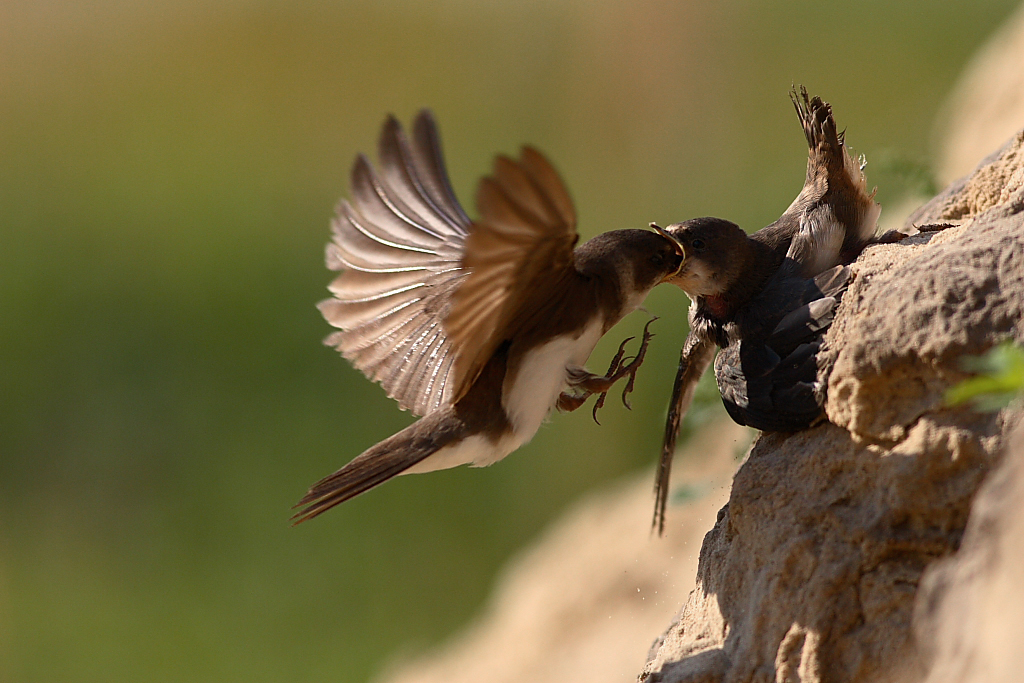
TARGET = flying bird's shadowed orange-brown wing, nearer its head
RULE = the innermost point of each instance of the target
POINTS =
(524, 239)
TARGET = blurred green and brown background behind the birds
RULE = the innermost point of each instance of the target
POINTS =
(167, 176)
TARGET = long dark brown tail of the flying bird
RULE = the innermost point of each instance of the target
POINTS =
(381, 462)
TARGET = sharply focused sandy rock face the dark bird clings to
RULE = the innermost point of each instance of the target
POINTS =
(812, 572)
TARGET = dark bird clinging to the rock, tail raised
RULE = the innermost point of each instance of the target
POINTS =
(767, 298)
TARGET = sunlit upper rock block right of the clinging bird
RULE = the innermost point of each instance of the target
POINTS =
(918, 307)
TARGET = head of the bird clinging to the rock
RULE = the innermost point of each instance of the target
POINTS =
(714, 253)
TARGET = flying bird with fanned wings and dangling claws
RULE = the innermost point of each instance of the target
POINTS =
(480, 327)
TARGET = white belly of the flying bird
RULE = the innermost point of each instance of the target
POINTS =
(528, 399)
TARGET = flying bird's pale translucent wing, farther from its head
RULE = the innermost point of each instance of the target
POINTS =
(399, 243)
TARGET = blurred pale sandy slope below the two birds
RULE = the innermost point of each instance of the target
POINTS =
(586, 602)
